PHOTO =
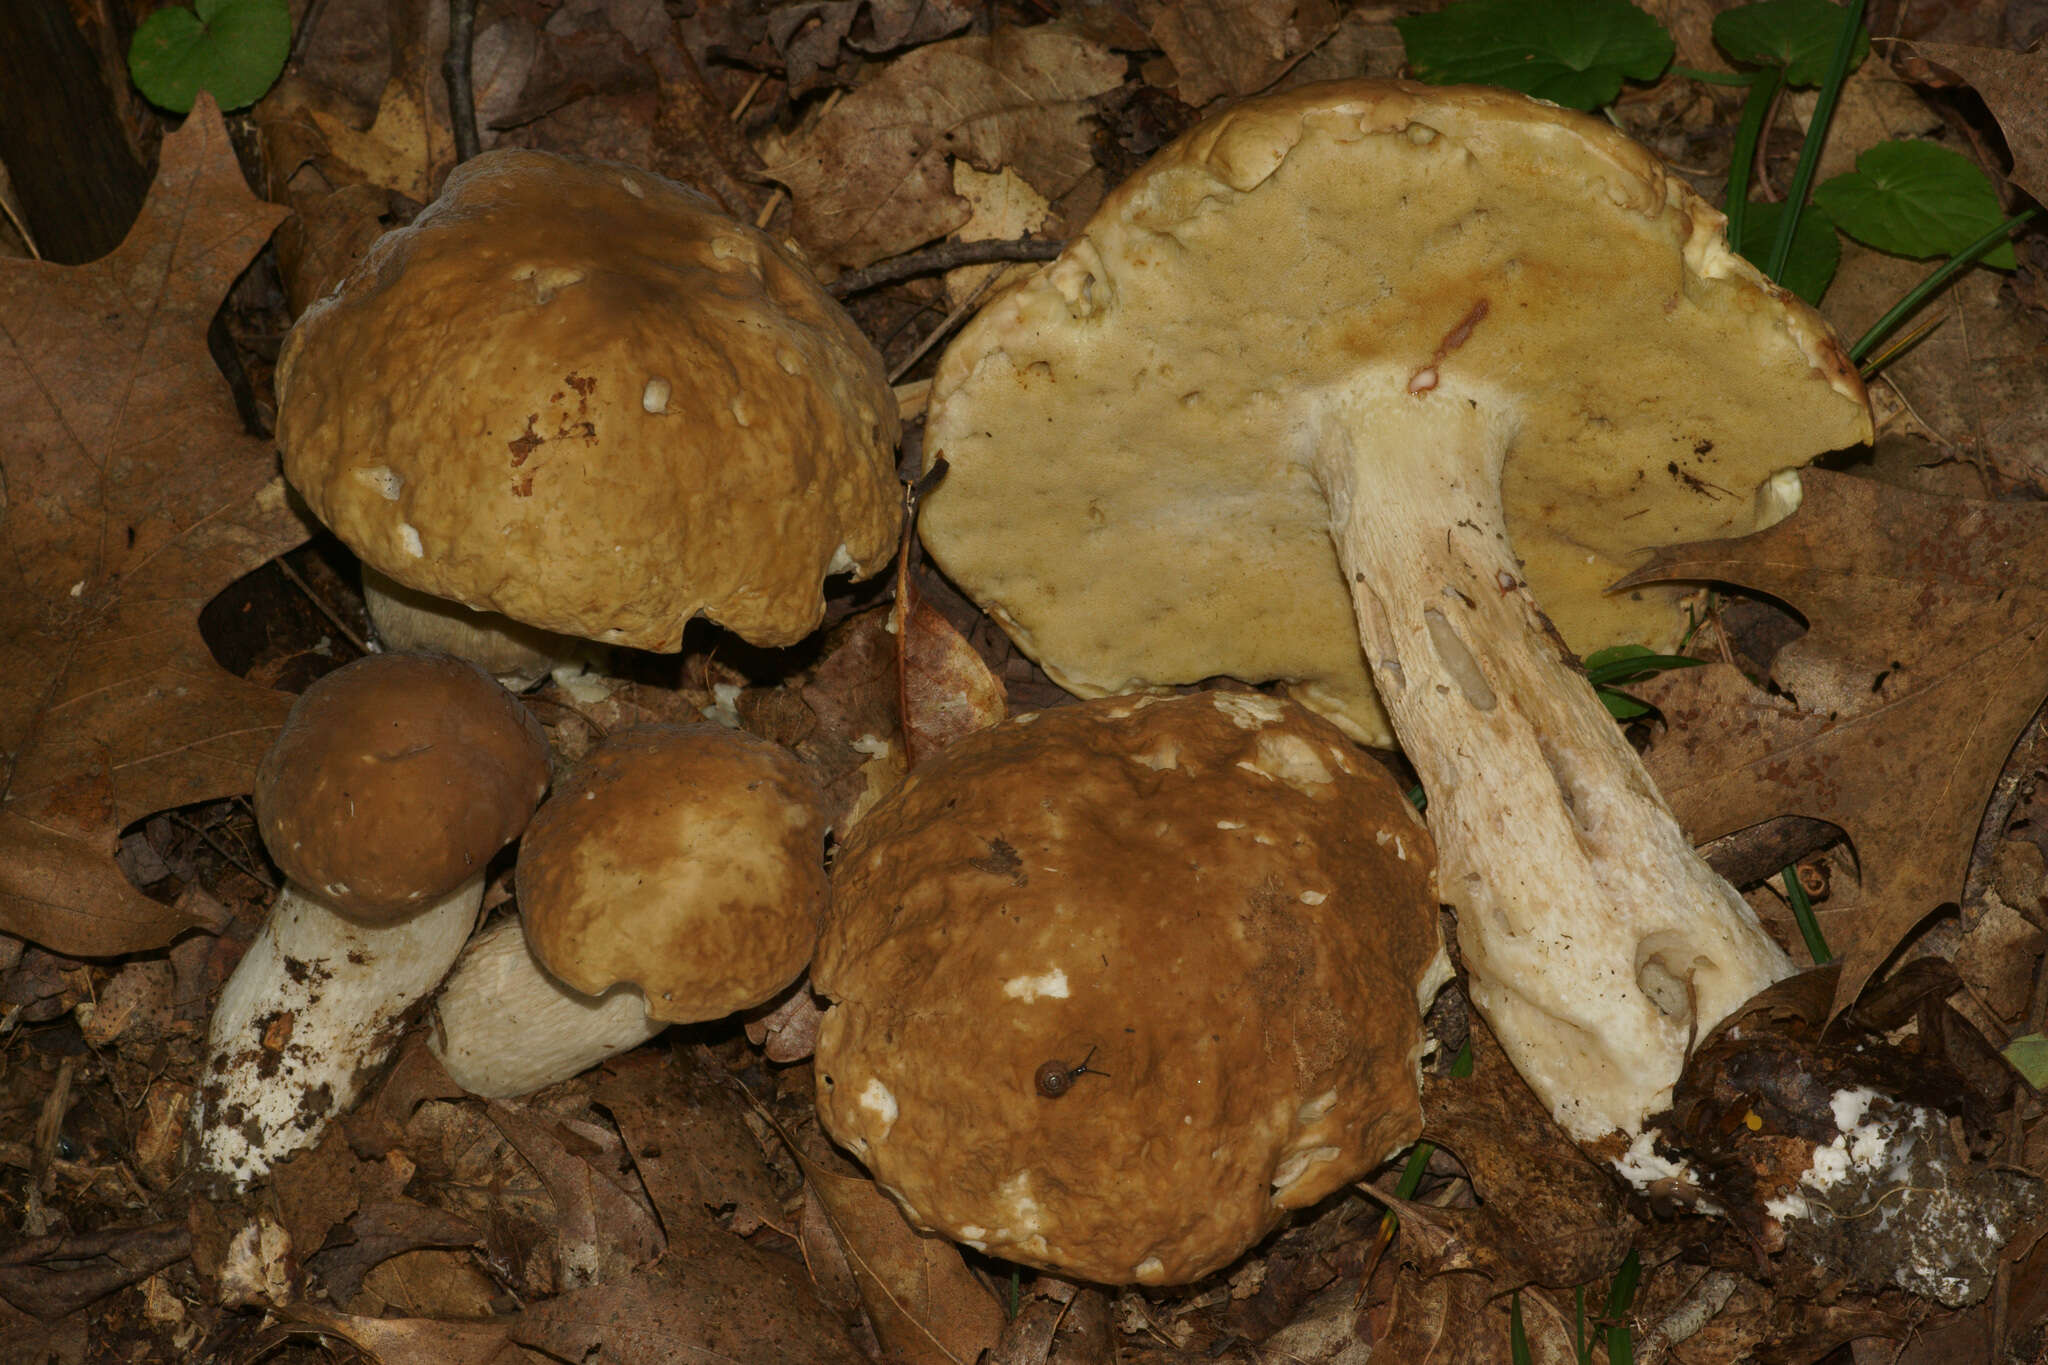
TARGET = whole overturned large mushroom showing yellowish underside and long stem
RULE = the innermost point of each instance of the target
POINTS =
(1424, 355)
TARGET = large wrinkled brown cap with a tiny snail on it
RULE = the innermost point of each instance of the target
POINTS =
(1218, 901)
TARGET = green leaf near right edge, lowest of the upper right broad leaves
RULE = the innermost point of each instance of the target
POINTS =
(1916, 200)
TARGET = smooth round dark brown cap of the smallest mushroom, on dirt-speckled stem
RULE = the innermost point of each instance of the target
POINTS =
(396, 779)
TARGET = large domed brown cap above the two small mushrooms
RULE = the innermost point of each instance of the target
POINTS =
(581, 396)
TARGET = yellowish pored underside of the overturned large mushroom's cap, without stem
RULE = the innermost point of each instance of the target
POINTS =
(1129, 431)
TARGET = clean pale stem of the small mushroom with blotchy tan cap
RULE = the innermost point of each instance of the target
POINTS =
(505, 1028)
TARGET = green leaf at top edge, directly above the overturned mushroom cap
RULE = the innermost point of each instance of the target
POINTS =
(1570, 52)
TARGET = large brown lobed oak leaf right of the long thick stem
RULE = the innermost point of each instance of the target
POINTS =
(1924, 660)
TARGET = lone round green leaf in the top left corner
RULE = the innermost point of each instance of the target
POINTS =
(230, 48)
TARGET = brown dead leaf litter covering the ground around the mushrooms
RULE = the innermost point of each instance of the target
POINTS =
(644, 1208)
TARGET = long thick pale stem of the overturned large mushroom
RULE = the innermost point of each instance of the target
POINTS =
(1601, 946)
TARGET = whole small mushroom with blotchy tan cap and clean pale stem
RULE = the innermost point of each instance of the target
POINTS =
(677, 877)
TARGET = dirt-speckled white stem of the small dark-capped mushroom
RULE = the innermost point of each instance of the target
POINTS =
(308, 1018)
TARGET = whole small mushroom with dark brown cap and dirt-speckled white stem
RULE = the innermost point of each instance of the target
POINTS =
(388, 791)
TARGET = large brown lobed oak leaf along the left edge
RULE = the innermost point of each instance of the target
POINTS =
(130, 496)
